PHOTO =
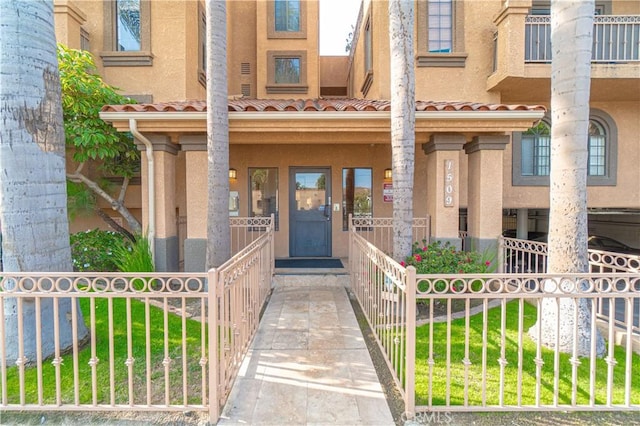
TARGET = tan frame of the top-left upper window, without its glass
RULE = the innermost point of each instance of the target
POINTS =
(111, 56)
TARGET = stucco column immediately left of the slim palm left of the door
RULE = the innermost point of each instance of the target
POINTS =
(195, 245)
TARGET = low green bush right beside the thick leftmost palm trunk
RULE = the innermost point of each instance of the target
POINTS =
(94, 250)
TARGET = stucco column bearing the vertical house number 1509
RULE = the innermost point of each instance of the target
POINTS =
(443, 186)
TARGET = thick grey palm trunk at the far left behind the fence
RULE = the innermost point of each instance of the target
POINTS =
(33, 212)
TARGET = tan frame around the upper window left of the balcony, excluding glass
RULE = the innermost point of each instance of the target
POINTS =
(455, 58)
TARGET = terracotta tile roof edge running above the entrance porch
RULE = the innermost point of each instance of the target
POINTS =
(261, 105)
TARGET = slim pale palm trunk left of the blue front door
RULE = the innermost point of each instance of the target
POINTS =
(218, 226)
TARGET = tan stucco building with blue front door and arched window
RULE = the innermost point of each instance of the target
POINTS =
(309, 135)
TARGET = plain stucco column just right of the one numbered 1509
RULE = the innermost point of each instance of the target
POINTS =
(485, 190)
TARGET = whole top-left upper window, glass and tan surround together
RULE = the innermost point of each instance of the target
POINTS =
(127, 38)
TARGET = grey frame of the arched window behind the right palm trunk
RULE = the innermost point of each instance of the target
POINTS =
(606, 122)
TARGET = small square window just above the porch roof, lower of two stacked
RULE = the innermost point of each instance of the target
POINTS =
(287, 72)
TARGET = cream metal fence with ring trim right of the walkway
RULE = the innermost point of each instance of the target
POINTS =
(474, 348)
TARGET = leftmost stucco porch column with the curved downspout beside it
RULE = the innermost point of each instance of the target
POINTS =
(166, 232)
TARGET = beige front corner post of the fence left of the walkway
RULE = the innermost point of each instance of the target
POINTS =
(212, 302)
